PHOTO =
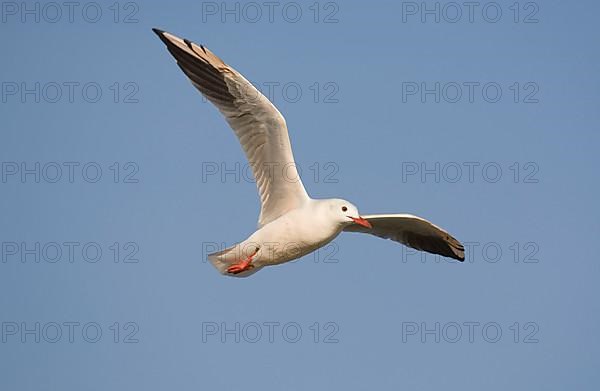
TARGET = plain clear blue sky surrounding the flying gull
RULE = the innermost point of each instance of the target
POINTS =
(364, 313)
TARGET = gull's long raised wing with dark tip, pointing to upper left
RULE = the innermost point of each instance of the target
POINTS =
(259, 126)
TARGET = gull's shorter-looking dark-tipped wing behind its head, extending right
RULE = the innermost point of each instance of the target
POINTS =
(414, 232)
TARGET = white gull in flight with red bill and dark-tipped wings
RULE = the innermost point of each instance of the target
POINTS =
(291, 224)
